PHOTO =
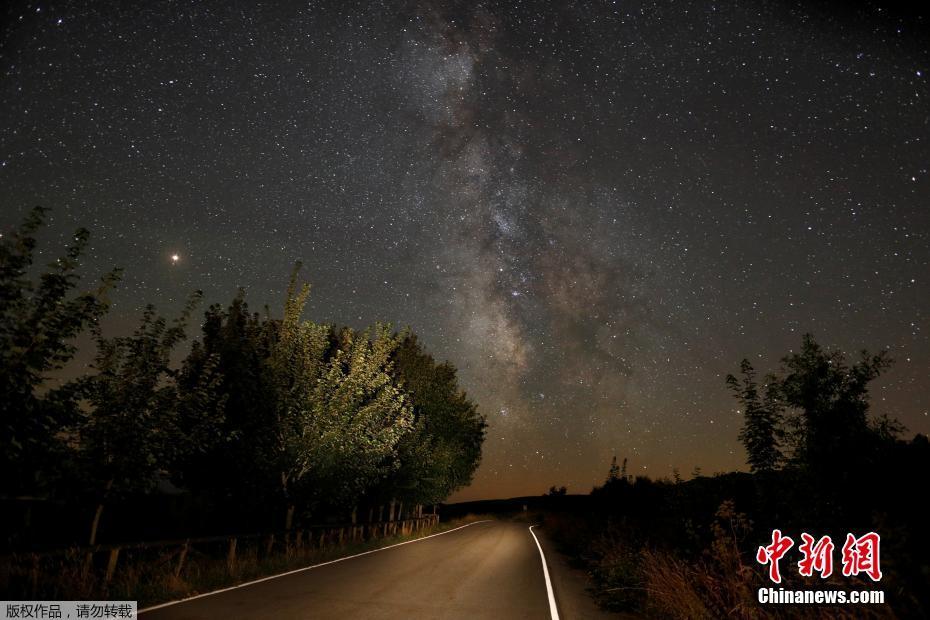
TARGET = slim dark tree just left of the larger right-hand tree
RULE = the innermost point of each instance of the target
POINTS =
(761, 418)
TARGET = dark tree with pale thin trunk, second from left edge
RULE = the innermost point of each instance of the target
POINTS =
(129, 434)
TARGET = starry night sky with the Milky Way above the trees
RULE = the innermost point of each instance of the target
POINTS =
(594, 210)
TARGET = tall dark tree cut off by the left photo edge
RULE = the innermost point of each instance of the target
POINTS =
(39, 318)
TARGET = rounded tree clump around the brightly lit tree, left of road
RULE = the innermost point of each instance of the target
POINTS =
(319, 419)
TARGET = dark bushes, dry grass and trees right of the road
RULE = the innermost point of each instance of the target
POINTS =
(819, 464)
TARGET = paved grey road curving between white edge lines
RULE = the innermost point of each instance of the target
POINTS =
(485, 570)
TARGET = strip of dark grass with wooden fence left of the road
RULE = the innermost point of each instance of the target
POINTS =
(150, 576)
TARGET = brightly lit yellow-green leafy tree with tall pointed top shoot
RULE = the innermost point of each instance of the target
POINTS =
(339, 413)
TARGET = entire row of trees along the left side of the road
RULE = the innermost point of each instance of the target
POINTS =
(263, 414)
